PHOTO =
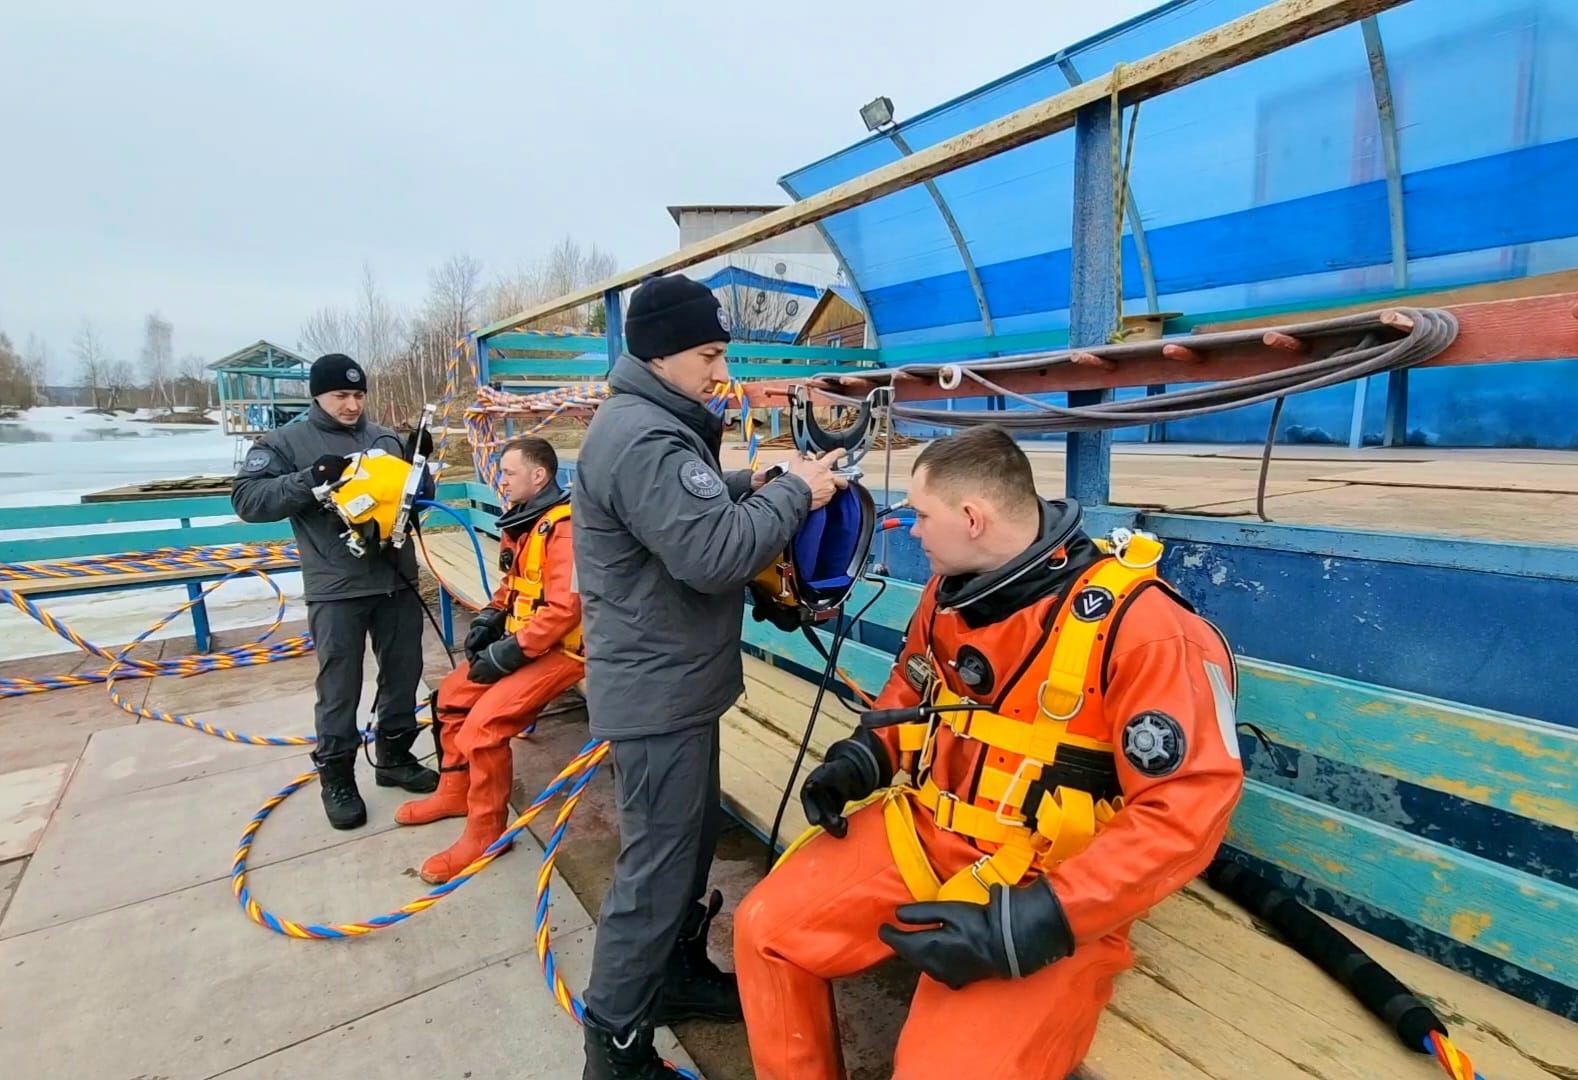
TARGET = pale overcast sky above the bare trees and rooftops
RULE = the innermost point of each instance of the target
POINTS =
(231, 167)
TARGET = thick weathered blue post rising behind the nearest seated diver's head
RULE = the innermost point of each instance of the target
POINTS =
(1093, 312)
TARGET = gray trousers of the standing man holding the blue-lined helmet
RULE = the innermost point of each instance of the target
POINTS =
(670, 820)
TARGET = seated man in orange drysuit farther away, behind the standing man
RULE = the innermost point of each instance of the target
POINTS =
(522, 653)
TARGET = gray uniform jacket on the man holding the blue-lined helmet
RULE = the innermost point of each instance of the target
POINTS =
(665, 549)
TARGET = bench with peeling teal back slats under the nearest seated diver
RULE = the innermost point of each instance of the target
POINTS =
(1216, 996)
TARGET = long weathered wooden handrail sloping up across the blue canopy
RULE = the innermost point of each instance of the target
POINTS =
(1258, 34)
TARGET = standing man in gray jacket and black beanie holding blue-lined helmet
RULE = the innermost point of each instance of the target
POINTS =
(665, 547)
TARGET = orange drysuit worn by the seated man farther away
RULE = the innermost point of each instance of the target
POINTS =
(476, 721)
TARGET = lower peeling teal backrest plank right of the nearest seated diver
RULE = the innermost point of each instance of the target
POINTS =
(1516, 917)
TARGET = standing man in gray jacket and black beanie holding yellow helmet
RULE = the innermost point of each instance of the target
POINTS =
(348, 598)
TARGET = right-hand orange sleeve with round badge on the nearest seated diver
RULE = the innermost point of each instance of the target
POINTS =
(1170, 702)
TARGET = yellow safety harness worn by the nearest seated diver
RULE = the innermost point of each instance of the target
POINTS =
(1064, 819)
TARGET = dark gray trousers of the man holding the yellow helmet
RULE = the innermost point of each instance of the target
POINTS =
(340, 637)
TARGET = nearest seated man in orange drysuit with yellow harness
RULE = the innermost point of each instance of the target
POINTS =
(1094, 779)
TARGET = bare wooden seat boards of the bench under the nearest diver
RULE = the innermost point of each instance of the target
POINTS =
(1211, 994)
